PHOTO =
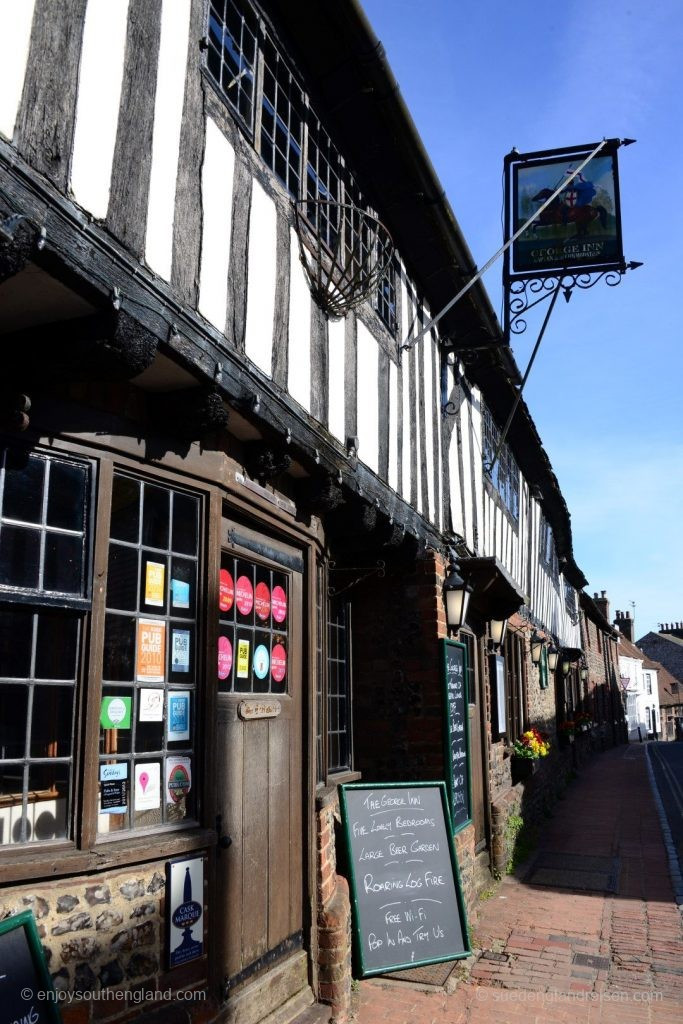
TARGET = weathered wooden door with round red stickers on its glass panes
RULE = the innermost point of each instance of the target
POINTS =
(260, 878)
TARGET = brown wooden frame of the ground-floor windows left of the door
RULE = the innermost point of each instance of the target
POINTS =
(82, 845)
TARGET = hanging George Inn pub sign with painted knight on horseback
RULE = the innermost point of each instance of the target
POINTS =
(581, 228)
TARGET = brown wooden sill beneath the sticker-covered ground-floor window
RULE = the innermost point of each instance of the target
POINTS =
(58, 862)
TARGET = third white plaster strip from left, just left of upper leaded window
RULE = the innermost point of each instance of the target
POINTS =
(166, 138)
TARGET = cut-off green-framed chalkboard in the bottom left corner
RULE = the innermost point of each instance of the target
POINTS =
(26, 988)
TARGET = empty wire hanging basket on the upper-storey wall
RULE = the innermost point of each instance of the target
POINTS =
(346, 252)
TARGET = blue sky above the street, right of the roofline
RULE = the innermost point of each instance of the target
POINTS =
(606, 390)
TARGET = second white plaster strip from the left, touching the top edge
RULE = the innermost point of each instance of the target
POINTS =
(100, 82)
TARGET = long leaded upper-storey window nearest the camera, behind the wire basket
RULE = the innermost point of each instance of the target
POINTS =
(268, 99)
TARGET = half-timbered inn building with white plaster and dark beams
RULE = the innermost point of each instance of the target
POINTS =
(228, 493)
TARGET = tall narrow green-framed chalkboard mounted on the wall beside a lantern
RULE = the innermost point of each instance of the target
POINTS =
(457, 734)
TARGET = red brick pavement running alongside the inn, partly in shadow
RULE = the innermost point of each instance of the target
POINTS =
(546, 956)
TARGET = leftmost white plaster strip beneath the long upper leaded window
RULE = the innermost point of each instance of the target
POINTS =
(218, 176)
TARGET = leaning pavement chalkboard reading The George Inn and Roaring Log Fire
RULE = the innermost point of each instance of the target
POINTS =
(408, 905)
